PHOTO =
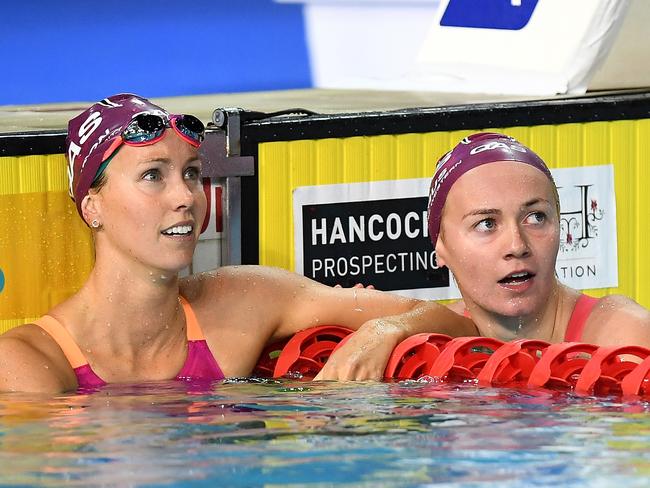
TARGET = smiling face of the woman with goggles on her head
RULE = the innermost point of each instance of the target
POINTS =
(152, 205)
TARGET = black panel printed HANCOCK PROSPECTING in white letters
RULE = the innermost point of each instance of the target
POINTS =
(379, 242)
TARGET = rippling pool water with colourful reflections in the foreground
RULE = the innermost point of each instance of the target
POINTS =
(268, 433)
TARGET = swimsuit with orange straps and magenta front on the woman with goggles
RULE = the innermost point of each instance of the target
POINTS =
(200, 364)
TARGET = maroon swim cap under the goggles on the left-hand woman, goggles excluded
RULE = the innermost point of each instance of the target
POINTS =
(95, 134)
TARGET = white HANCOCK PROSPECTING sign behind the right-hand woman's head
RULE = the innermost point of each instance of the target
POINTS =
(376, 233)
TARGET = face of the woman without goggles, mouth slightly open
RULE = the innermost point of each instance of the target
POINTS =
(500, 237)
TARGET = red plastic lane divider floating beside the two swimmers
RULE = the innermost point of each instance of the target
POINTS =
(571, 366)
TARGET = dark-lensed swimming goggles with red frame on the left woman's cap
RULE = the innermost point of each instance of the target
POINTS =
(147, 128)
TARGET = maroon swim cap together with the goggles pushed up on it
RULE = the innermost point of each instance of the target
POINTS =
(95, 135)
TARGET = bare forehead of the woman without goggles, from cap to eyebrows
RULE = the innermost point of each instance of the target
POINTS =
(502, 184)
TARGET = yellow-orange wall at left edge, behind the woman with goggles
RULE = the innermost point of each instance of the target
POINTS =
(45, 249)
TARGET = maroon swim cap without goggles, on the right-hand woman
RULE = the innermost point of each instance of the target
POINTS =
(473, 151)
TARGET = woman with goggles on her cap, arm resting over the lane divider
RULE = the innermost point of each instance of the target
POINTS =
(135, 177)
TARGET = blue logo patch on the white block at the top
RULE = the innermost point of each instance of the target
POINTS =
(488, 14)
